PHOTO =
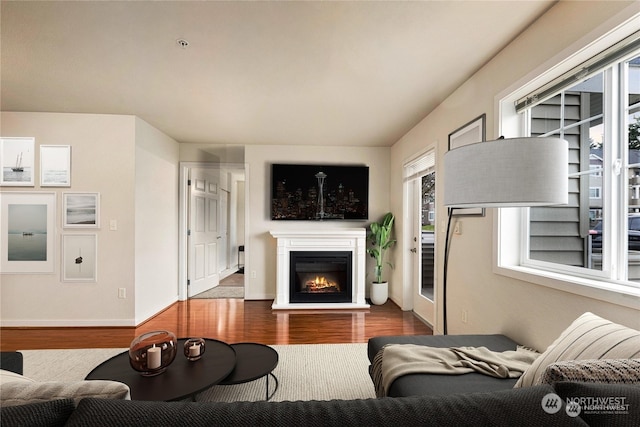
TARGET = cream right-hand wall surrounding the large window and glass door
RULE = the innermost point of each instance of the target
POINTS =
(528, 313)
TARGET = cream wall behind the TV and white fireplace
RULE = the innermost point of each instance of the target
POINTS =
(260, 245)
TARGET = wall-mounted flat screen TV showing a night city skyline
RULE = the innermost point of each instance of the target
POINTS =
(319, 192)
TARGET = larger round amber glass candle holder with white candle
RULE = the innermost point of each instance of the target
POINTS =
(151, 353)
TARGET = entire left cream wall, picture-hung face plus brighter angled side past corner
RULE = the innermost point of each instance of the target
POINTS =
(131, 165)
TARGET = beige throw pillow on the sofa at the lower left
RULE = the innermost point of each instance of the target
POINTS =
(19, 393)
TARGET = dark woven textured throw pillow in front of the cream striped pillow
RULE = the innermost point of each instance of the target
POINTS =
(610, 371)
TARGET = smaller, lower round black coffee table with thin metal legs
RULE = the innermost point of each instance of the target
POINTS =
(253, 361)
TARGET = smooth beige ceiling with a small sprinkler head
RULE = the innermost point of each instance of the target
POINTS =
(272, 72)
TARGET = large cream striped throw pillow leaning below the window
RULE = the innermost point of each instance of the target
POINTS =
(588, 337)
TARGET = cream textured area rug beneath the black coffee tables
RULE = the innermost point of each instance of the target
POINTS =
(304, 372)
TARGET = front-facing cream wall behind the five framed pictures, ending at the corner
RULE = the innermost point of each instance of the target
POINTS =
(102, 161)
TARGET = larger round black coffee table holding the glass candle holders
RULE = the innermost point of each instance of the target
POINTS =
(181, 380)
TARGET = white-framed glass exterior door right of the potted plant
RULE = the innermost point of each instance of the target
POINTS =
(419, 230)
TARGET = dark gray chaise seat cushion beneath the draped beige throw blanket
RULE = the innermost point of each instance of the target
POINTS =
(438, 385)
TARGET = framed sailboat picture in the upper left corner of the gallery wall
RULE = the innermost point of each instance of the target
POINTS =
(16, 160)
